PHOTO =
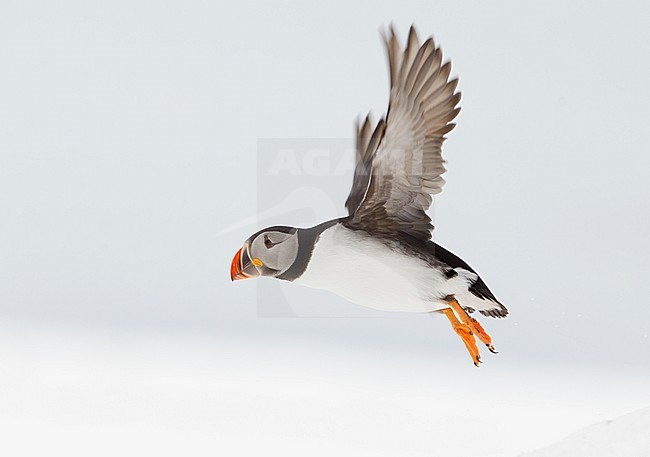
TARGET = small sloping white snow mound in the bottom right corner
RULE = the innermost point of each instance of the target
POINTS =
(626, 436)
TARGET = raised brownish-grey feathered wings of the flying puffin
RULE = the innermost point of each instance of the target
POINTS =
(399, 165)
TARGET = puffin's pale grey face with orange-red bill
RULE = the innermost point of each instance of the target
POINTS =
(269, 252)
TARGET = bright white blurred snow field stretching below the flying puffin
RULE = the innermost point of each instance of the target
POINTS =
(114, 390)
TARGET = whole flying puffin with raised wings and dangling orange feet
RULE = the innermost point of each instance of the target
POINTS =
(381, 254)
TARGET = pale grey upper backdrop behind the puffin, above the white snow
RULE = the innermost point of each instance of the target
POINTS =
(129, 141)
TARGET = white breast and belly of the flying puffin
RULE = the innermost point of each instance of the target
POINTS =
(366, 271)
